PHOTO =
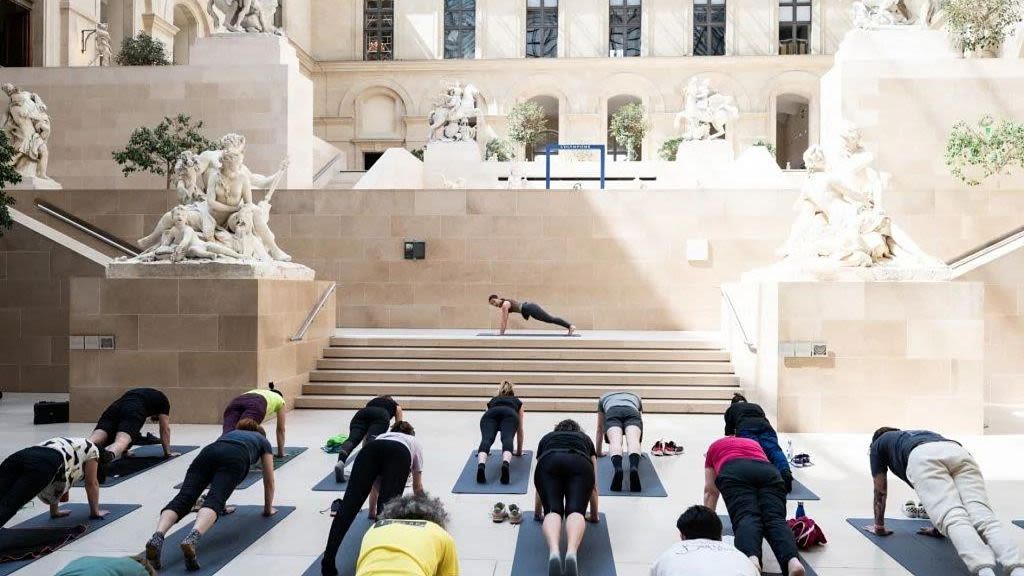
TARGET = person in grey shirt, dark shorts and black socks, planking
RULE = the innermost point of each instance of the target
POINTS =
(621, 415)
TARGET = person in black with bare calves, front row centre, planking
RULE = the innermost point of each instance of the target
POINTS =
(567, 469)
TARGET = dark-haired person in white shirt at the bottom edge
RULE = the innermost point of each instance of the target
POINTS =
(701, 551)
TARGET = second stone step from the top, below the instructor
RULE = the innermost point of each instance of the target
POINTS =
(574, 366)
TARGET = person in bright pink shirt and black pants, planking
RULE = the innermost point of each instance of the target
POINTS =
(755, 497)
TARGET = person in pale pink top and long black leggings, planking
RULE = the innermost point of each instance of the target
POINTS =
(380, 475)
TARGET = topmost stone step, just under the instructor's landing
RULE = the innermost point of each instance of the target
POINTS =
(478, 353)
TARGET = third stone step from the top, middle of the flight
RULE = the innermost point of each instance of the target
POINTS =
(489, 378)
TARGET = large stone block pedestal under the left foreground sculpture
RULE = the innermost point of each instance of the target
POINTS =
(201, 341)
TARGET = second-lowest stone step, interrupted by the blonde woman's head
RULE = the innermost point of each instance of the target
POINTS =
(539, 392)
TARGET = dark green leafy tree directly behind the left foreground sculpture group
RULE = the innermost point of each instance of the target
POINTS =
(156, 150)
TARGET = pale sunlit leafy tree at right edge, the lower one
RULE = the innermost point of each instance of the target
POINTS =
(975, 153)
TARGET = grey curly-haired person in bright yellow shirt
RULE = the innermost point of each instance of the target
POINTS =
(409, 541)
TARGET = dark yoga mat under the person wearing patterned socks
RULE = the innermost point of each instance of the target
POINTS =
(223, 544)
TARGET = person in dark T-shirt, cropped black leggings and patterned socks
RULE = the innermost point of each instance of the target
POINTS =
(222, 467)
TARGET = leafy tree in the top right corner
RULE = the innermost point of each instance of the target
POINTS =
(982, 25)
